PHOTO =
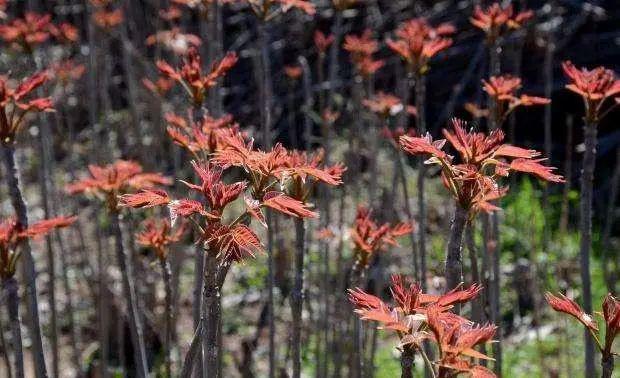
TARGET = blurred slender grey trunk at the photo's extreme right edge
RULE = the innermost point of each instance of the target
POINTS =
(610, 276)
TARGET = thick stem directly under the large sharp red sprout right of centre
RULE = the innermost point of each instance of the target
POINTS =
(454, 261)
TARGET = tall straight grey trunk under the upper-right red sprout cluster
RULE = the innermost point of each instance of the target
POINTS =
(585, 229)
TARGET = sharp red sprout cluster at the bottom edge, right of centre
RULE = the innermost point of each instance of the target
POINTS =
(417, 318)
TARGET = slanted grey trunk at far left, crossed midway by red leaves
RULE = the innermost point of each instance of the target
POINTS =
(28, 266)
